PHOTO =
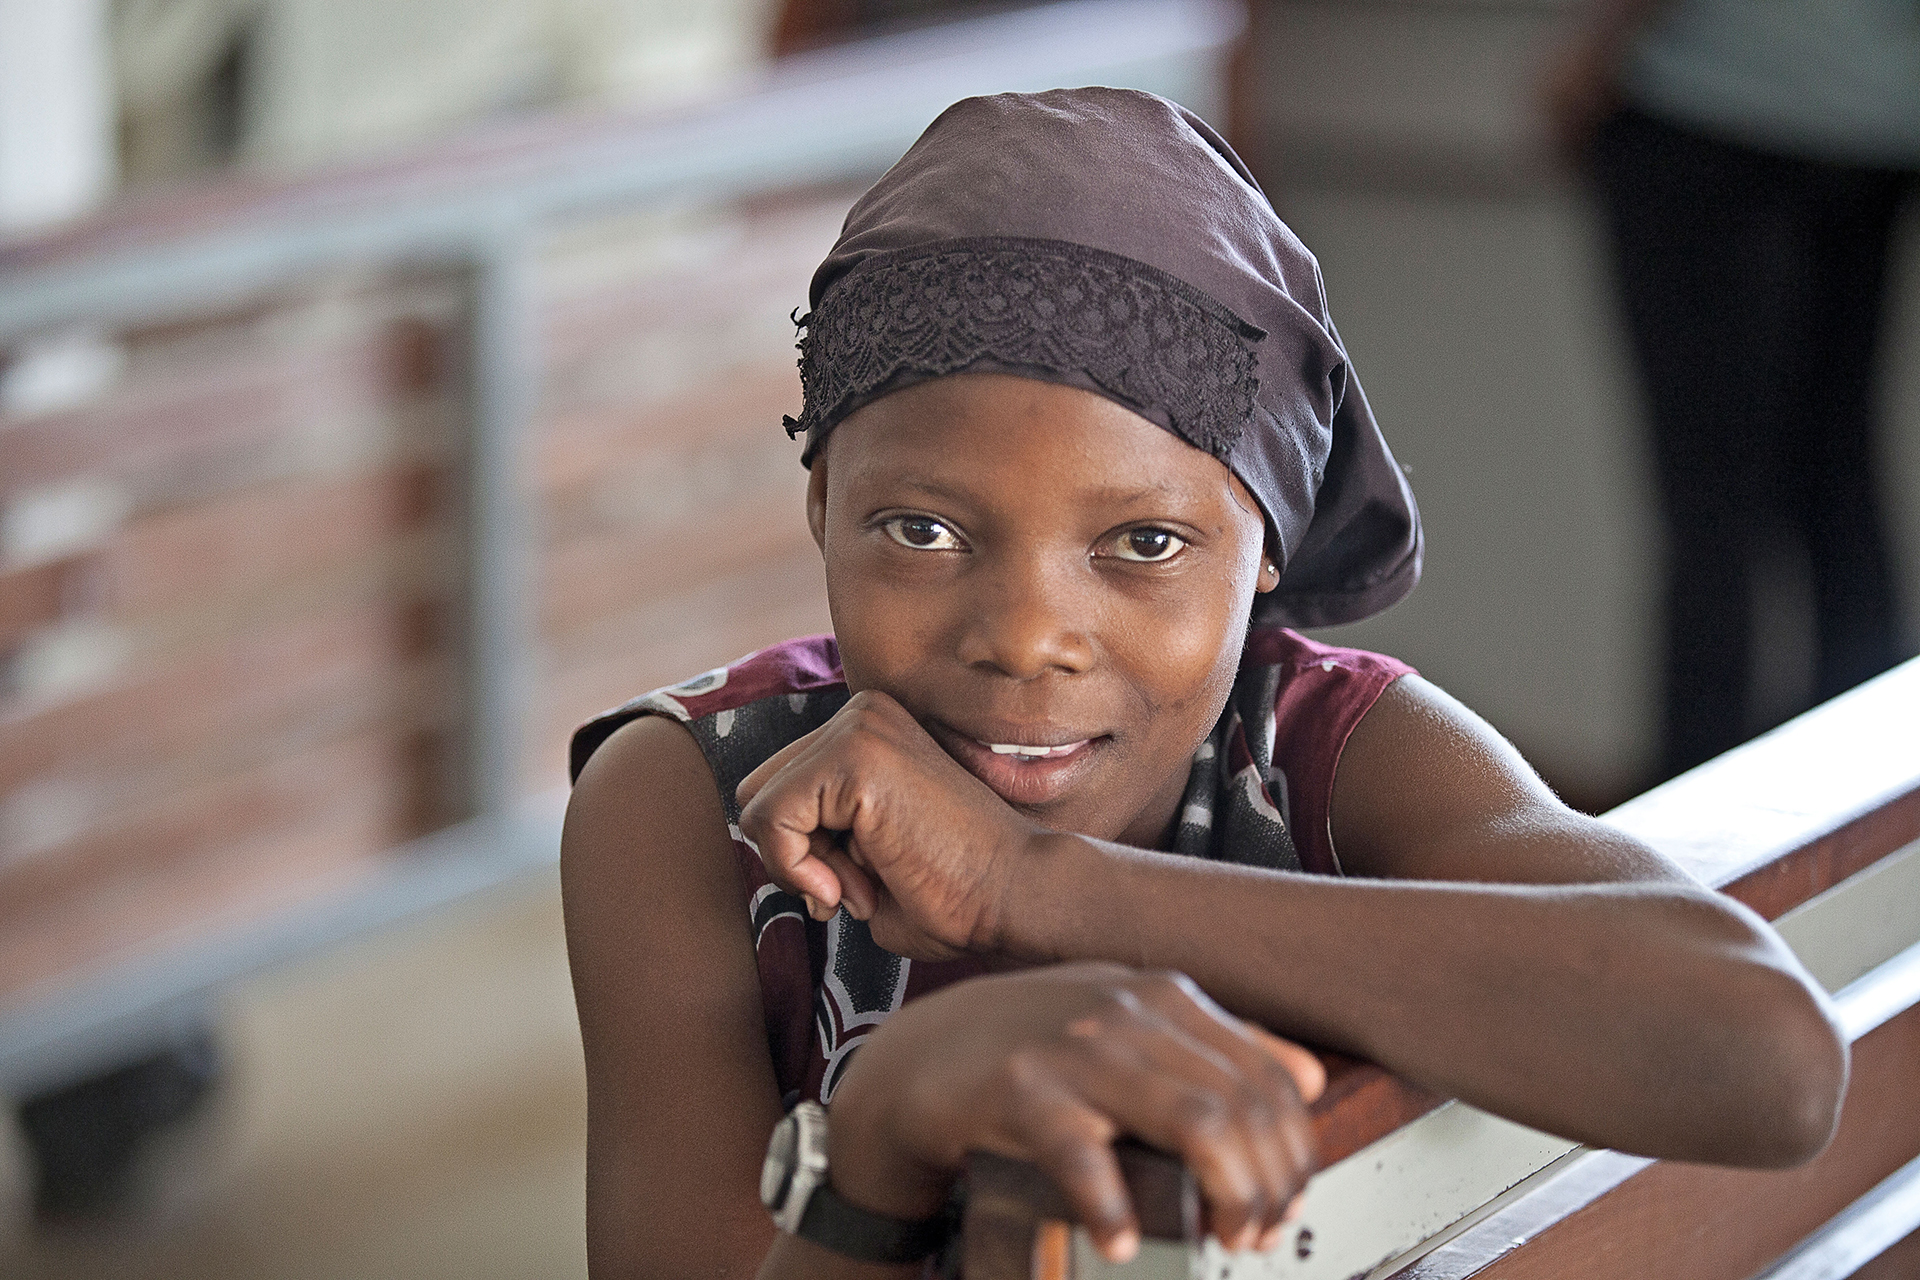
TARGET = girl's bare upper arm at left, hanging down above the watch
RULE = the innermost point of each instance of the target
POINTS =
(681, 1087)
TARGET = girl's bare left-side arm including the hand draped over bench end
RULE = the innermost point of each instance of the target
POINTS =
(1045, 1066)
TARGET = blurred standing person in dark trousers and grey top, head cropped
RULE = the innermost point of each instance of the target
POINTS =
(1750, 158)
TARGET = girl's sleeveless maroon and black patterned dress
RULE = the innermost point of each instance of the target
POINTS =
(1260, 794)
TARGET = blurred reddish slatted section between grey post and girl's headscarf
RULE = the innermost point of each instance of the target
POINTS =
(675, 534)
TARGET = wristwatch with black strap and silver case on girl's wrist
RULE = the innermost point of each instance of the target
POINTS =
(794, 1187)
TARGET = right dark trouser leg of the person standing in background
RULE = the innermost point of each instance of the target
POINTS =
(1848, 229)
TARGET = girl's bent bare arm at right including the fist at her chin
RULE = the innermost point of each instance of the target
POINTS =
(1525, 959)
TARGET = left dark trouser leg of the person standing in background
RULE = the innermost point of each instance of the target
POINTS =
(1692, 235)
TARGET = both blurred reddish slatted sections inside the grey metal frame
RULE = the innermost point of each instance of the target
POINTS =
(228, 590)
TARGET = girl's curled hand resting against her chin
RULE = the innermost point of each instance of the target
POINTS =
(869, 813)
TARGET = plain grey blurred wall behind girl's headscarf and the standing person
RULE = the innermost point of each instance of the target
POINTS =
(1466, 272)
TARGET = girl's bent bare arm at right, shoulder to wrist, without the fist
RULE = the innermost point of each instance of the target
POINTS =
(1487, 943)
